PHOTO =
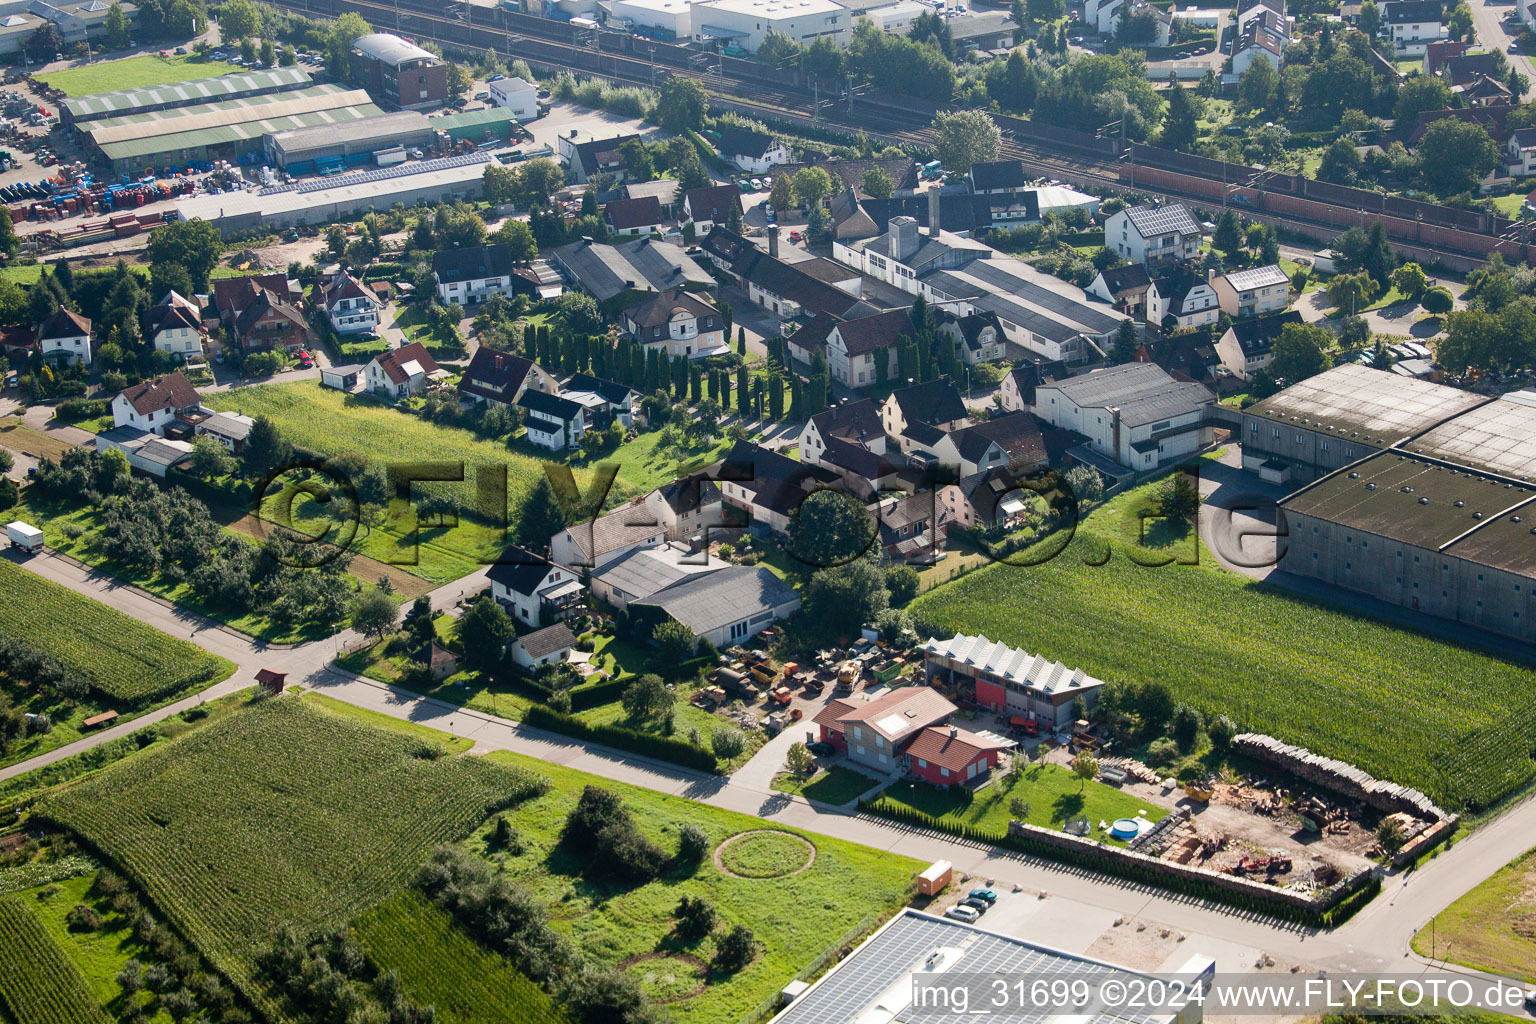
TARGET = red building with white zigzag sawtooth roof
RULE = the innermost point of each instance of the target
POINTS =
(1013, 682)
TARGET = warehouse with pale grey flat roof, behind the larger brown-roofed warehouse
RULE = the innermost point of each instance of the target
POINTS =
(1339, 417)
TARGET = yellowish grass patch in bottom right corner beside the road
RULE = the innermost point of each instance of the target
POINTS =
(1492, 928)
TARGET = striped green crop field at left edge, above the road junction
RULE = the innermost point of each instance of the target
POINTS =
(127, 661)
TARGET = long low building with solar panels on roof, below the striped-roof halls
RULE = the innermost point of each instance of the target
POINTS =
(343, 197)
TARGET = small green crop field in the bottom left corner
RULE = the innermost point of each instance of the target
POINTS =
(38, 982)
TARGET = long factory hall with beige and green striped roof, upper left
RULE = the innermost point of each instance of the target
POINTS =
(227, 130)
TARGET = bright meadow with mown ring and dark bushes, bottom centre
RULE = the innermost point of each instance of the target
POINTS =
(798, 917)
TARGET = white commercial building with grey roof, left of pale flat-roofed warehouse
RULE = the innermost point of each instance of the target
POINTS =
(1136, 415)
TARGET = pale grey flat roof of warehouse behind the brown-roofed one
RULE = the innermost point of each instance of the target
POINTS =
(1363, 405)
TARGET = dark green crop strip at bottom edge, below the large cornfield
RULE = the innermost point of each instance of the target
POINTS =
(440, 966)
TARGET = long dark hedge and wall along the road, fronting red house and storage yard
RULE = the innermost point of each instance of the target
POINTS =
(1147, 874)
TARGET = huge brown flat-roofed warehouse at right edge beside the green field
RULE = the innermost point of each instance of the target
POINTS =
(1445, 523)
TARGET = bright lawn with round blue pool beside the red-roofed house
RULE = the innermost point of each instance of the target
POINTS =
(1054, 796)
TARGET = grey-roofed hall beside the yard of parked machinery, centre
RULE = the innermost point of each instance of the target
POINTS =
(727, 607)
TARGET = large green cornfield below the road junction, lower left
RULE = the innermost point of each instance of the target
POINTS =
(279, 814)
